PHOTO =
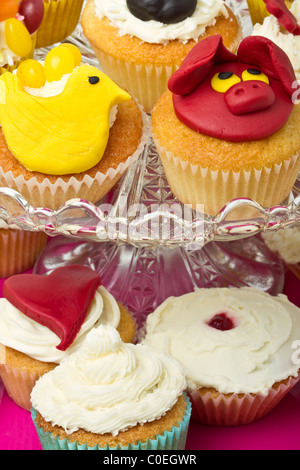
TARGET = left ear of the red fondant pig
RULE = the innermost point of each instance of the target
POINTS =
(198, 63)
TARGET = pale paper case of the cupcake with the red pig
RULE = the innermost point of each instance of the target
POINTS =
(196, 186)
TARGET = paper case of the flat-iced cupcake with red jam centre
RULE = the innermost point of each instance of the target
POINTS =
(235, 410)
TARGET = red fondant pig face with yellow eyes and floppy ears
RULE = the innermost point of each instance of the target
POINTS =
(250, 109)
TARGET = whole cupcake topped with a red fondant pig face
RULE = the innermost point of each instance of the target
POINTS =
(227, 127)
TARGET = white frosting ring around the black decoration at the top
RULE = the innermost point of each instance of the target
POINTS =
(156, 32)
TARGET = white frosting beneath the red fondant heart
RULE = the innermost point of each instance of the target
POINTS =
(23, 334)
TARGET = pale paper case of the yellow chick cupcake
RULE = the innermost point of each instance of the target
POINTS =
(52, 195)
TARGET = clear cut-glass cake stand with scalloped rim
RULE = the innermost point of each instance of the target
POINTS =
(159, 247)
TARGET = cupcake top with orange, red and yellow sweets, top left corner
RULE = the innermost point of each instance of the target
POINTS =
(19, 22)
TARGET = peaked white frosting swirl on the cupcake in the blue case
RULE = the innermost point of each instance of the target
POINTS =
(108, 386)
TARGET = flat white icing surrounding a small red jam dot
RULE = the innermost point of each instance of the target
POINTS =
(248, 358)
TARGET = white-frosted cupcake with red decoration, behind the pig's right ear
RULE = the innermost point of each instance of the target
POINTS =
(283, 28)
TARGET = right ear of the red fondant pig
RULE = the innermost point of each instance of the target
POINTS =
(269, 58)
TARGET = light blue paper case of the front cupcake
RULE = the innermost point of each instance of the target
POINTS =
(170, 440)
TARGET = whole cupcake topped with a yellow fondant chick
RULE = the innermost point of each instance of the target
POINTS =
(67, 132)
